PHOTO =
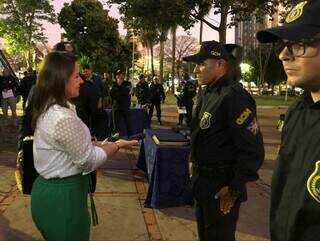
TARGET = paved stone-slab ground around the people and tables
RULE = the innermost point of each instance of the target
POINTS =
(121, 191)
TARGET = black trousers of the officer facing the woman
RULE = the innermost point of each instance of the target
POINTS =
(212, 224)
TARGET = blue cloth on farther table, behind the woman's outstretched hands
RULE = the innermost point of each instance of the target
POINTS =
(139, 121)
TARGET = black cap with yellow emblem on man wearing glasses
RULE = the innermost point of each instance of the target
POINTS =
(302, 22)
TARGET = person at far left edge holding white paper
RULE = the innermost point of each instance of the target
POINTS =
(9, 89)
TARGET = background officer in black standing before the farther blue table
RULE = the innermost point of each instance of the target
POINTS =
(121, 100)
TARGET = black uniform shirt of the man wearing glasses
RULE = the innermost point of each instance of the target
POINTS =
(295, 197)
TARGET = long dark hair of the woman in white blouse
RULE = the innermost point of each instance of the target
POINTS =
(55, 72)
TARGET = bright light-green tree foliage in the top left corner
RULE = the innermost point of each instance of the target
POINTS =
(21, 24)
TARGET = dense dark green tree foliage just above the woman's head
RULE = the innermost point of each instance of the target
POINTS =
(95, 35)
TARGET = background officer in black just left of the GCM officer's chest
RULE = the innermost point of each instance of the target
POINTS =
(185, 99)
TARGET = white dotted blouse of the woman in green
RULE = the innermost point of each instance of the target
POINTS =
(62, 144)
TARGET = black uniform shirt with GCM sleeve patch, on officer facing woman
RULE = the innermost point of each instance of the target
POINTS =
(225, 131)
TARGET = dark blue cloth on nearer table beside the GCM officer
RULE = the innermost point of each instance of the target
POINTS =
(167, 170)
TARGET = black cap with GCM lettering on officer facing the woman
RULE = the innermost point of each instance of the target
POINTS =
(208, 50)
